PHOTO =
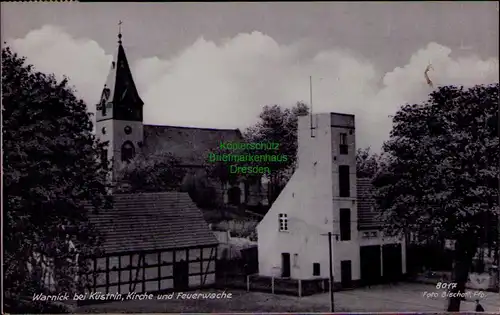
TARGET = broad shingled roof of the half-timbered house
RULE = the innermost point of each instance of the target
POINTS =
(152, 221)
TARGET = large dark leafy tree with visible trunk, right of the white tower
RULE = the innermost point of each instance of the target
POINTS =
(441, 179)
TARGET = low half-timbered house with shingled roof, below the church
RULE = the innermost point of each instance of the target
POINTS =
(152, 242)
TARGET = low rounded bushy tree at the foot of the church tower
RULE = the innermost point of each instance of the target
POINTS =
(157, 172)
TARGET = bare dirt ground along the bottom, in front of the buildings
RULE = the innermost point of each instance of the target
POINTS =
(403, 297)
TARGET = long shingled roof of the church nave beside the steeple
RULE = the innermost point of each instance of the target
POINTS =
(189, 144)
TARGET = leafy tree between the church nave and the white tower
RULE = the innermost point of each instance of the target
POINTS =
(280, 126)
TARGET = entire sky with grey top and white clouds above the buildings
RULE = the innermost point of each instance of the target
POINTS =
(216, 65)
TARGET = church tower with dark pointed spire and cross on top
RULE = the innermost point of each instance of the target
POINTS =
(119, 115)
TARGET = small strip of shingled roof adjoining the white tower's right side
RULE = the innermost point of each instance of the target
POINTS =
(367, 214)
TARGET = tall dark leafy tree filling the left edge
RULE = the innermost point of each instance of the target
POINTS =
(51, 171)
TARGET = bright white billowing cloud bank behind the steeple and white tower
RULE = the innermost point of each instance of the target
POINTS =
(226, 85)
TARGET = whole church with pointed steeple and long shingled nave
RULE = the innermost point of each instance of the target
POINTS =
(119, 121)
